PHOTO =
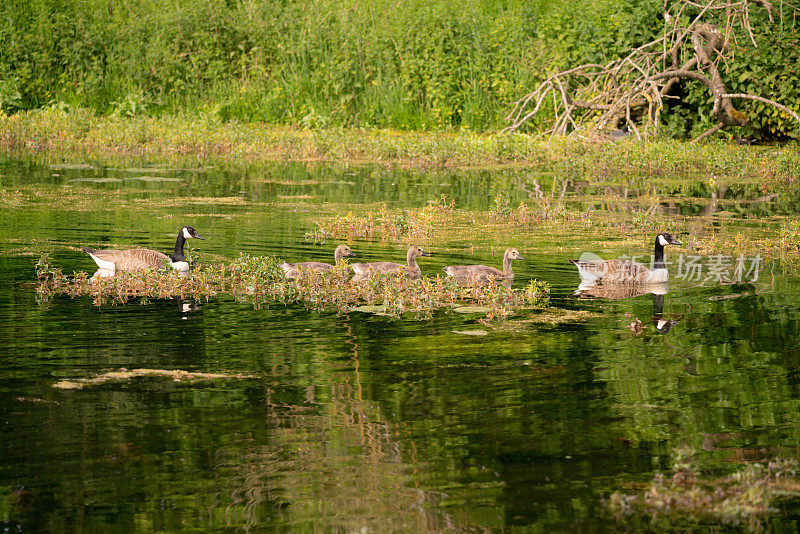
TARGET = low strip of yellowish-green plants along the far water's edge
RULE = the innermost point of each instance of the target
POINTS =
(81, 135)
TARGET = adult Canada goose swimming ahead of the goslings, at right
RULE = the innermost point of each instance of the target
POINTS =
(618, 271)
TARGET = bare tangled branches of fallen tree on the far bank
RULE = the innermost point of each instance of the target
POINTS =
(630, 92)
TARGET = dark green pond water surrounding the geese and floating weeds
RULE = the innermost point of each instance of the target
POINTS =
(360, 422)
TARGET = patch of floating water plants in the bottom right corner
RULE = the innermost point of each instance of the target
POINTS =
(745, 497)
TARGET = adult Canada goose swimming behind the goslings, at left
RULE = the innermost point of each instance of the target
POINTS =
(134, 259)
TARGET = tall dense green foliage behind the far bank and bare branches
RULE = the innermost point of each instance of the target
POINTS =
(409, 65)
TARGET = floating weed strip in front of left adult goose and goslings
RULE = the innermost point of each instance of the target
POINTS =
(260, 281)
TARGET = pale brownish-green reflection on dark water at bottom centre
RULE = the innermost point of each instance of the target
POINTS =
(333, 462)
